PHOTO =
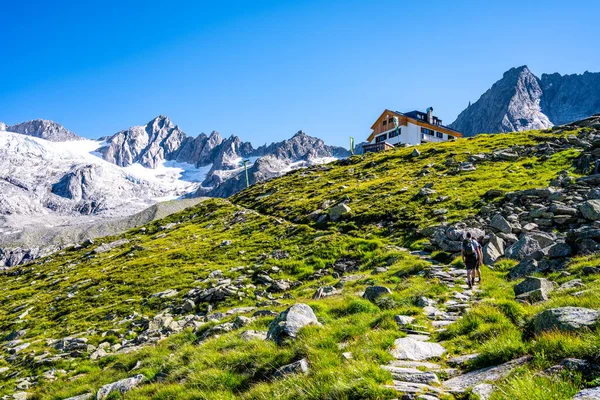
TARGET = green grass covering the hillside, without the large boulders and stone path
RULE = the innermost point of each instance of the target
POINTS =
(271, 254)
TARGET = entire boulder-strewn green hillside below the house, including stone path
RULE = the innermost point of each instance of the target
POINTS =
(297, 288)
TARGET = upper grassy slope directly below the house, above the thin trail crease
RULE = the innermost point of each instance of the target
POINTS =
(382, 189)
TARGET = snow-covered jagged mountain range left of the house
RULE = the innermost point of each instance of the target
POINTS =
(50, 178)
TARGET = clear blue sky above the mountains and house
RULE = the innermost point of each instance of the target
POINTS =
(265, 69)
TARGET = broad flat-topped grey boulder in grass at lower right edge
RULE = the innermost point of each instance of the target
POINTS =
(565, 319)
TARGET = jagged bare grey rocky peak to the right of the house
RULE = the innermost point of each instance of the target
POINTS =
(521, 101)
